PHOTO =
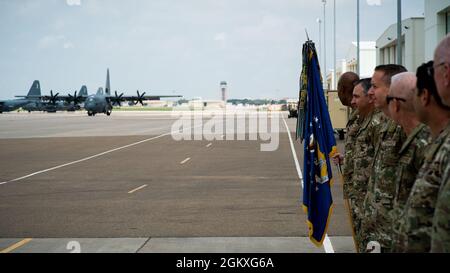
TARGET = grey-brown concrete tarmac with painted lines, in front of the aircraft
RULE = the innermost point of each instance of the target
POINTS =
(123, 184)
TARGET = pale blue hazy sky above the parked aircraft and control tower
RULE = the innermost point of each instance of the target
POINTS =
(186, 46)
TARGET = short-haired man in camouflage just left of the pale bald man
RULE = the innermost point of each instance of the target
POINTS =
(376, 223)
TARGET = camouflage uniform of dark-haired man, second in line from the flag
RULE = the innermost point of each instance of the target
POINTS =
(363, 153)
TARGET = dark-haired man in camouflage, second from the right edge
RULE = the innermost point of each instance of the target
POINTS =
(415, 224)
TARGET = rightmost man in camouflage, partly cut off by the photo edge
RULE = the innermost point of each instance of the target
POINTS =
(440, 233)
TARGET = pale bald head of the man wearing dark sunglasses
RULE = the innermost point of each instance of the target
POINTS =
(403, 86)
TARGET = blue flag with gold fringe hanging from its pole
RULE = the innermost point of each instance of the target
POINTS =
(314, 126)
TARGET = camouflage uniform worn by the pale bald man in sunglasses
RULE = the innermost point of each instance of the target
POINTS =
(412, 155)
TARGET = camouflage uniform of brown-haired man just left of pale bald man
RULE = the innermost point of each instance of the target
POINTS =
(376, 224)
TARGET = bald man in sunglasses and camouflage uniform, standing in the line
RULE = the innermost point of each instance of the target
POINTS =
(401, 110)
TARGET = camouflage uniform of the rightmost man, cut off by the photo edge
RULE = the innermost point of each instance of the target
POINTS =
(440, 232)
